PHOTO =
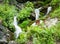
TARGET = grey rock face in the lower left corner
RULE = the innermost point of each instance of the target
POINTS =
(4, 35)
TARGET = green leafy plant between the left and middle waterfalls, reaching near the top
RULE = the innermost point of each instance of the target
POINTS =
(26, 11)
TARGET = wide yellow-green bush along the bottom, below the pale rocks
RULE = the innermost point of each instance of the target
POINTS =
(37, 35)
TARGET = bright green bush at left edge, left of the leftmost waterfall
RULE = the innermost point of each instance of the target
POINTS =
(7, 13)
